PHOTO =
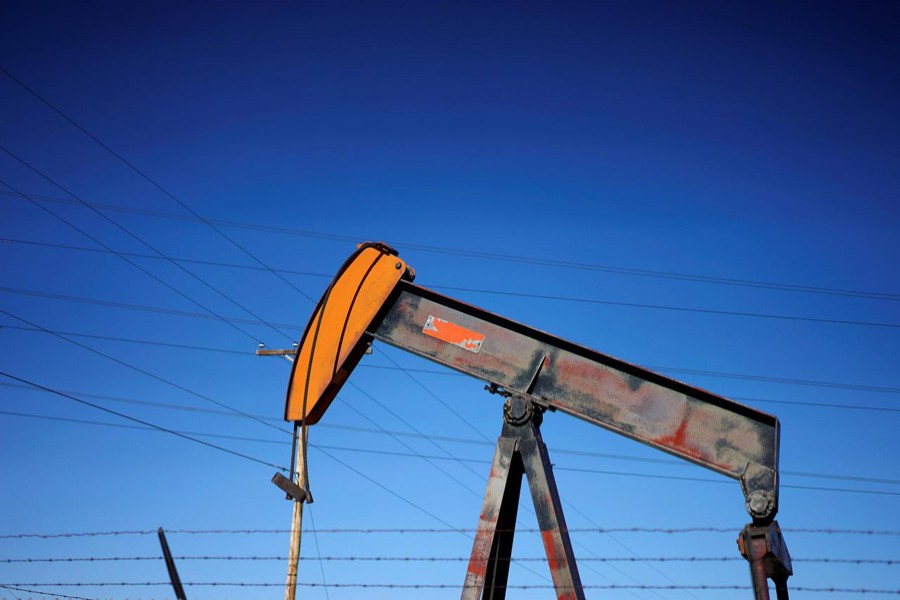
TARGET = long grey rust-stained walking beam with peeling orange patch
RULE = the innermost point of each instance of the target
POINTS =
(691, 423)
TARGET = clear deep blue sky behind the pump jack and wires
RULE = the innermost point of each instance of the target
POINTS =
(753, 142)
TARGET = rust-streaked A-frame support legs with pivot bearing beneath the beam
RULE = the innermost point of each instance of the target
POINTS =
(520, 451)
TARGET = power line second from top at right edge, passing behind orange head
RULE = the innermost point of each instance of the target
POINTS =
(556, 298)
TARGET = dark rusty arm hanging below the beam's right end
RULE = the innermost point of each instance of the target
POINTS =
(764, 548)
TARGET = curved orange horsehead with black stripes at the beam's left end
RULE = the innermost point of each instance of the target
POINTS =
(338, 324)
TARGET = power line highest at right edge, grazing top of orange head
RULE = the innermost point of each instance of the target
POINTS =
(727, 281)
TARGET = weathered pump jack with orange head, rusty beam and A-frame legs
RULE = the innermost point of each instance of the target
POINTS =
(372, 297)
